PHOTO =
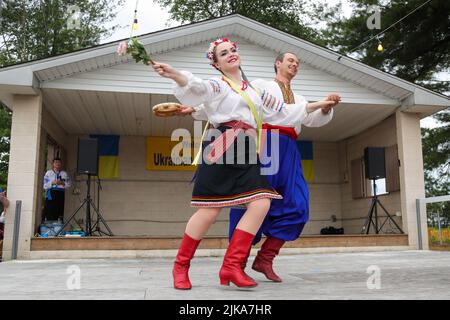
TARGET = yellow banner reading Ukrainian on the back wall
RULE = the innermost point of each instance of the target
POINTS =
(160, 151)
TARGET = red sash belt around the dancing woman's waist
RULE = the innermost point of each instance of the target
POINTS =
(226, 139)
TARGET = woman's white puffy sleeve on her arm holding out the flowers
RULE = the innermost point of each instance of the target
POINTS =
(198, 91)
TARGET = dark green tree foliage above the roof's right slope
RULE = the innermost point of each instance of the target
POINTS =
(416, 49)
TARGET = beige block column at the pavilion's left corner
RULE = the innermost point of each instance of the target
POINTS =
(23, 172)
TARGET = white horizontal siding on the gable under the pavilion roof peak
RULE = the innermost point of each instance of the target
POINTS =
(257, 62)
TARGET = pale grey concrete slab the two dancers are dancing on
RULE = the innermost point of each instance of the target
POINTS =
(391, 275)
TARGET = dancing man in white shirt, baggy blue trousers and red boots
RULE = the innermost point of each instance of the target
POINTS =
(288, 216)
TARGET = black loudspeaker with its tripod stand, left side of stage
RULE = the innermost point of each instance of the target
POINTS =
(87, 163)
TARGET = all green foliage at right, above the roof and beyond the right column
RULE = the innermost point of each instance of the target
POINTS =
(416, 49)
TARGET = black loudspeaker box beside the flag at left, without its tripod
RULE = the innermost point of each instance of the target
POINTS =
(87, 162)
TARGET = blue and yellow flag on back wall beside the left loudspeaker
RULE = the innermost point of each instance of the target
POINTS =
(108, 146)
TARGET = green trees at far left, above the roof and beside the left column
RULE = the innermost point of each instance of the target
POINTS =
(36, 29)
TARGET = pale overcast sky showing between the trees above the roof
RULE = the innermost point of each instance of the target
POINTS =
(151, 18)
